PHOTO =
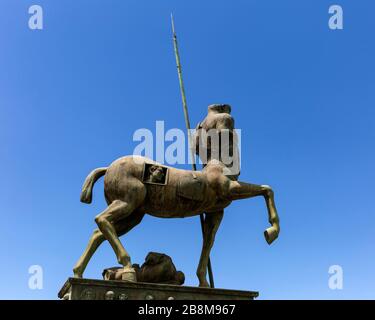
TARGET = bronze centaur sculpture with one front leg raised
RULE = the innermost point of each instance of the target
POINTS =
(135, 186)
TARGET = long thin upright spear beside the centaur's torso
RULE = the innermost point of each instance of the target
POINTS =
(187, 122)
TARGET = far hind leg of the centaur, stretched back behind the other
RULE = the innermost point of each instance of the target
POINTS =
(122, 227)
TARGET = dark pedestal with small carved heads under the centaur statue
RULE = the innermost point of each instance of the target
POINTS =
(87, 289)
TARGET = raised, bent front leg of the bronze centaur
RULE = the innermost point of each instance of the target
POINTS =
(241, 190)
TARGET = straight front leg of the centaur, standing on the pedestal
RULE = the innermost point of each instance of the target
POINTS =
(211, 224)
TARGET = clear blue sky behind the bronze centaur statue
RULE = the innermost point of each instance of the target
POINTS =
(72, 95)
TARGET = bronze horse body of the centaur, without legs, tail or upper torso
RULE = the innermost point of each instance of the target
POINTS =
(186, 193)
